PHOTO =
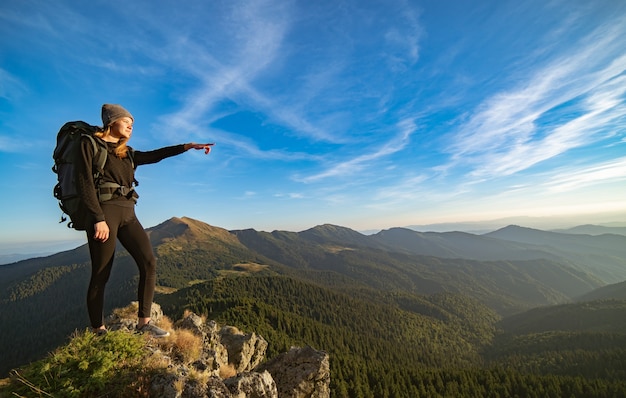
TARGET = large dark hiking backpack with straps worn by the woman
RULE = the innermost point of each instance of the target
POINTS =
(65, 155)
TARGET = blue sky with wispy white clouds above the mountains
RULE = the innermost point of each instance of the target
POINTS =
(364, 114)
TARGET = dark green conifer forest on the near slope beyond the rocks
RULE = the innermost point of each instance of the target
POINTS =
(395, 345)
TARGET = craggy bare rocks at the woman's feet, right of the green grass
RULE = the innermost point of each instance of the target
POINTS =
(227, 362)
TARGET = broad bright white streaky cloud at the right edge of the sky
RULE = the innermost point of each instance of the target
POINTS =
(504, 136)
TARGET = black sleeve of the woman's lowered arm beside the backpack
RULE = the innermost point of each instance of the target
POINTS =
(84, 180)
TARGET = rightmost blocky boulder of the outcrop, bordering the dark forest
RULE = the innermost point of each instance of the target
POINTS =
(300, 373)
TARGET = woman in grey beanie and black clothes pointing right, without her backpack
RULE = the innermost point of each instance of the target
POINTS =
(114, 218)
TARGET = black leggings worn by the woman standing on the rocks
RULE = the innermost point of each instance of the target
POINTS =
(123, 225)
